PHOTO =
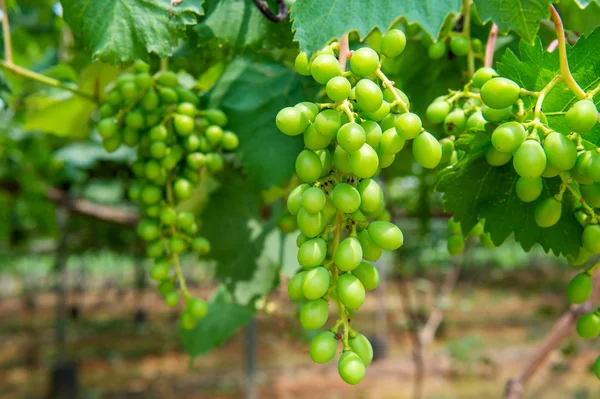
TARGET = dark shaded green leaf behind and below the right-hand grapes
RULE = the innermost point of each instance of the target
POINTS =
(474, 190)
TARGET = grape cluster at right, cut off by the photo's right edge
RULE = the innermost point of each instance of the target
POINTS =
(537, 152)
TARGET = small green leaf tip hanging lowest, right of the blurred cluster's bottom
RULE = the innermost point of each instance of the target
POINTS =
(223, 319)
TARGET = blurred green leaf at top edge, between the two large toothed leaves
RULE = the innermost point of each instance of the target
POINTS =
(240, 24)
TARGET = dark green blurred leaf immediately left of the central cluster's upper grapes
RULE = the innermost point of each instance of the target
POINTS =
(251, 91)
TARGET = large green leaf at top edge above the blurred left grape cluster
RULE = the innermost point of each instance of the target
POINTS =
(120, 31)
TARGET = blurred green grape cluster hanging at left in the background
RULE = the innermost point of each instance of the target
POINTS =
(176, 142)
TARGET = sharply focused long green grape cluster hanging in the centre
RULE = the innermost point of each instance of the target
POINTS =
(348, 139)
